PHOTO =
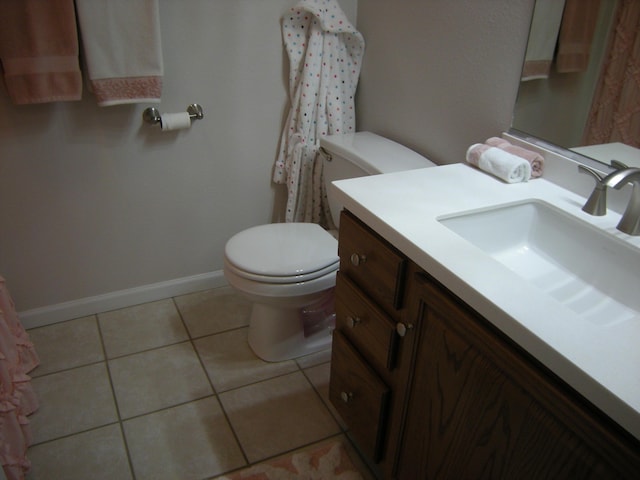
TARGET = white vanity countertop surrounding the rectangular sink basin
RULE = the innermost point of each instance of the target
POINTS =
(600, 362)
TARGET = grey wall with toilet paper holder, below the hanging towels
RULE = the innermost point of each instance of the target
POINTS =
(93, 201)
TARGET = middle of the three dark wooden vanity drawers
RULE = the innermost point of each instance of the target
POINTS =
(370, 331)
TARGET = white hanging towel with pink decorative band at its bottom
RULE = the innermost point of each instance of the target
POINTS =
(121, 41)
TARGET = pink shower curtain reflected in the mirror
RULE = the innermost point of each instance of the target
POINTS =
(615, 112)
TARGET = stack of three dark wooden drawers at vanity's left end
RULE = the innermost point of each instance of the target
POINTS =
(372, 349)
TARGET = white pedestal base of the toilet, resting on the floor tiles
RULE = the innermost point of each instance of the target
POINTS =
(277, 334)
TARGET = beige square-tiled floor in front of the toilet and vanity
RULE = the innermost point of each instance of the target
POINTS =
(170, 390)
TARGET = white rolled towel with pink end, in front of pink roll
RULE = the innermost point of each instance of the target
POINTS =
(504, 165)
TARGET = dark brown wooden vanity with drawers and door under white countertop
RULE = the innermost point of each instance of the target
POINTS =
(430, 389)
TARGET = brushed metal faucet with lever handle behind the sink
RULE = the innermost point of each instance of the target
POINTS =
(597, 202)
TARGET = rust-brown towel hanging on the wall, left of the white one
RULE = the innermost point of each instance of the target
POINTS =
(39, 51)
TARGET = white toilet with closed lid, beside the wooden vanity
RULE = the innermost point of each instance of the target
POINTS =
(288, 270)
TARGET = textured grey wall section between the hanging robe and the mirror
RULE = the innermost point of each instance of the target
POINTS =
(440, 75)
